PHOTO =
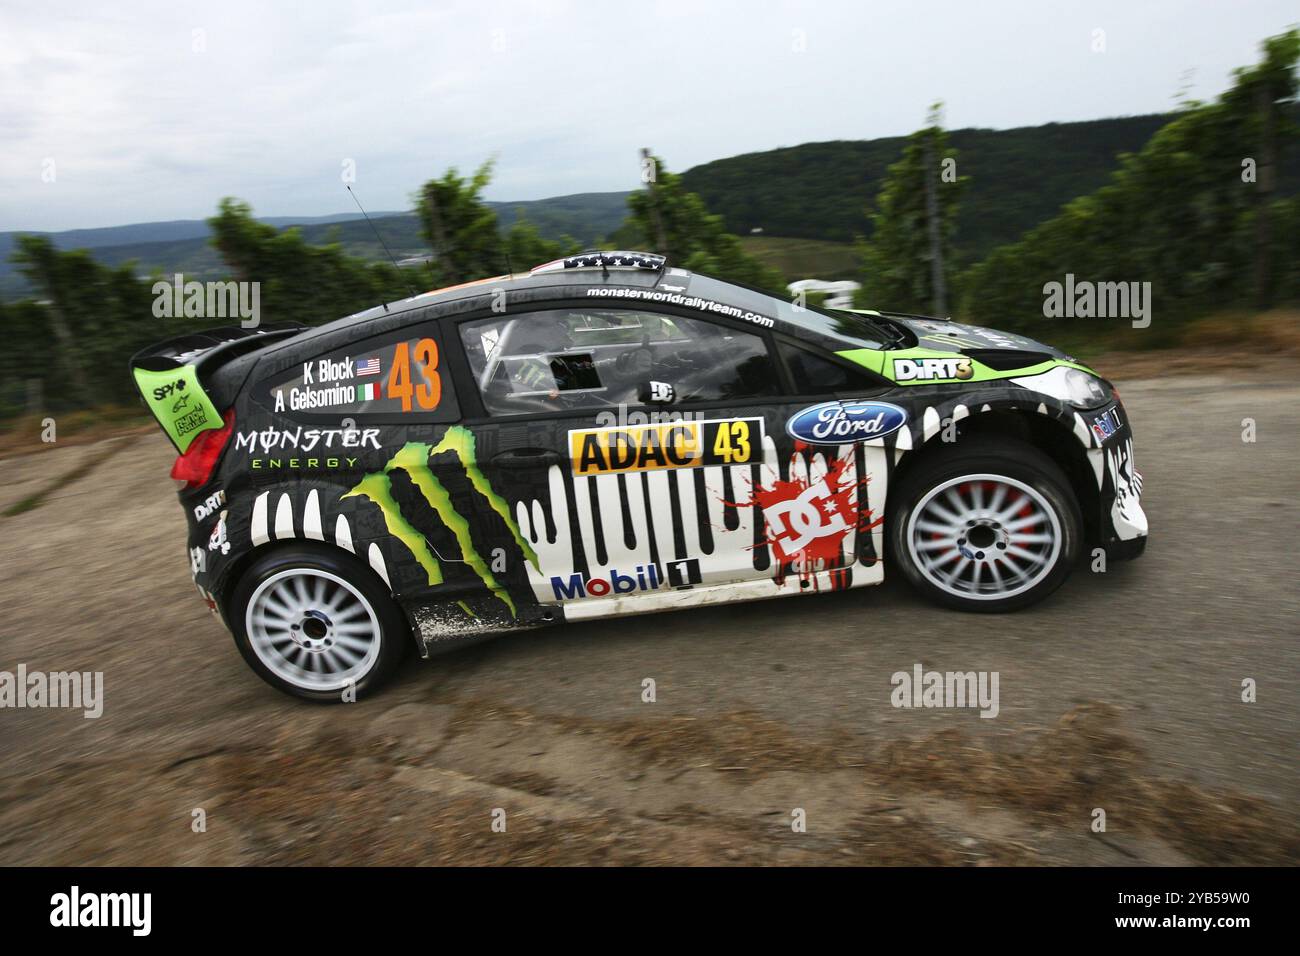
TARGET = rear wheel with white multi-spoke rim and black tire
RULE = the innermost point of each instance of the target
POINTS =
(341, 578)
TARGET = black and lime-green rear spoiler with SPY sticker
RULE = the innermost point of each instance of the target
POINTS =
(174, 377)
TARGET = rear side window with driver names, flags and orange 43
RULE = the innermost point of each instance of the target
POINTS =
(393, 378)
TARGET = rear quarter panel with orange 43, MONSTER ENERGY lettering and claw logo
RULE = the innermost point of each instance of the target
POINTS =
(365, 451)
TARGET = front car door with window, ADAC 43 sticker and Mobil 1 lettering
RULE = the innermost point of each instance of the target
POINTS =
(645, 452)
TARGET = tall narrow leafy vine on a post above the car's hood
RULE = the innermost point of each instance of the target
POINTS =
(908, 263)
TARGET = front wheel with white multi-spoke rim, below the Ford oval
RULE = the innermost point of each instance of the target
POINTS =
(987, 559)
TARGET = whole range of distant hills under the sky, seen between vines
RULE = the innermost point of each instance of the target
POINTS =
(818, 193)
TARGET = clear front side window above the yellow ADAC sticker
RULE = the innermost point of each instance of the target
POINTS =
(573, 360)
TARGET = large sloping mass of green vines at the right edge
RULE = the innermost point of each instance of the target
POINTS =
(1180, 215)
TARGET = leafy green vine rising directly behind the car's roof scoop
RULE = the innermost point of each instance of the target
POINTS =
(669, 219)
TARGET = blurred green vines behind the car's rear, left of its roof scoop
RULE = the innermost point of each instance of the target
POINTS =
(76, 341)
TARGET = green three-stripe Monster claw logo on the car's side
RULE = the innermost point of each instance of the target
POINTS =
(414, 460)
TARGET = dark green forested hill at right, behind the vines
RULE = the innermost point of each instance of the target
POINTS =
(1020, 178)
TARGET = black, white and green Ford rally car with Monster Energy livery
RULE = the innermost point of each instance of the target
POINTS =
(608, 435)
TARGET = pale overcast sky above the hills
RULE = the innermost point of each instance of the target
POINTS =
(158, 113)
